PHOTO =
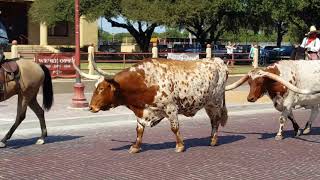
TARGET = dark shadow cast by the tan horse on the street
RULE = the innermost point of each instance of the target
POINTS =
(18, 143)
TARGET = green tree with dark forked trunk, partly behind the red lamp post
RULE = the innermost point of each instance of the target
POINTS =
(140, 17)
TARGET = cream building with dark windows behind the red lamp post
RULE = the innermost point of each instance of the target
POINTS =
(14, 15)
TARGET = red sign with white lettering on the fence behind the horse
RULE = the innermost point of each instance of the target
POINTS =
(60, 65)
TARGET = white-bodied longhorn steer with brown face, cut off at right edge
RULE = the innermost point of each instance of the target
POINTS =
(285, 83)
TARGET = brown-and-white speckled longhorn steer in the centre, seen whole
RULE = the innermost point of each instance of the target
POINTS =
(159, 88)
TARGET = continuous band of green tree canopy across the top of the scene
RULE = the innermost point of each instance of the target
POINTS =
(207, 20)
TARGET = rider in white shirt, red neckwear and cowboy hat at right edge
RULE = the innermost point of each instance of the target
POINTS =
(312, 44)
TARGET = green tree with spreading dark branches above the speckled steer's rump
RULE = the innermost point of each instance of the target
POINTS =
(205, 19)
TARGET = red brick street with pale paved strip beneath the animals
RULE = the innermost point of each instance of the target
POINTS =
(82, 145)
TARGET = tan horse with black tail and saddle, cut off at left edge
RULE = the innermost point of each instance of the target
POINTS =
(29, 78)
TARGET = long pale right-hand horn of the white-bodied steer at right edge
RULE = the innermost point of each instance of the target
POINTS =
(286, 83)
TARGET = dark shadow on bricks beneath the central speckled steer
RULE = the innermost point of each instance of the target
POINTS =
(194, 142)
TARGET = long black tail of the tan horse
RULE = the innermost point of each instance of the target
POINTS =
(47, 89)
